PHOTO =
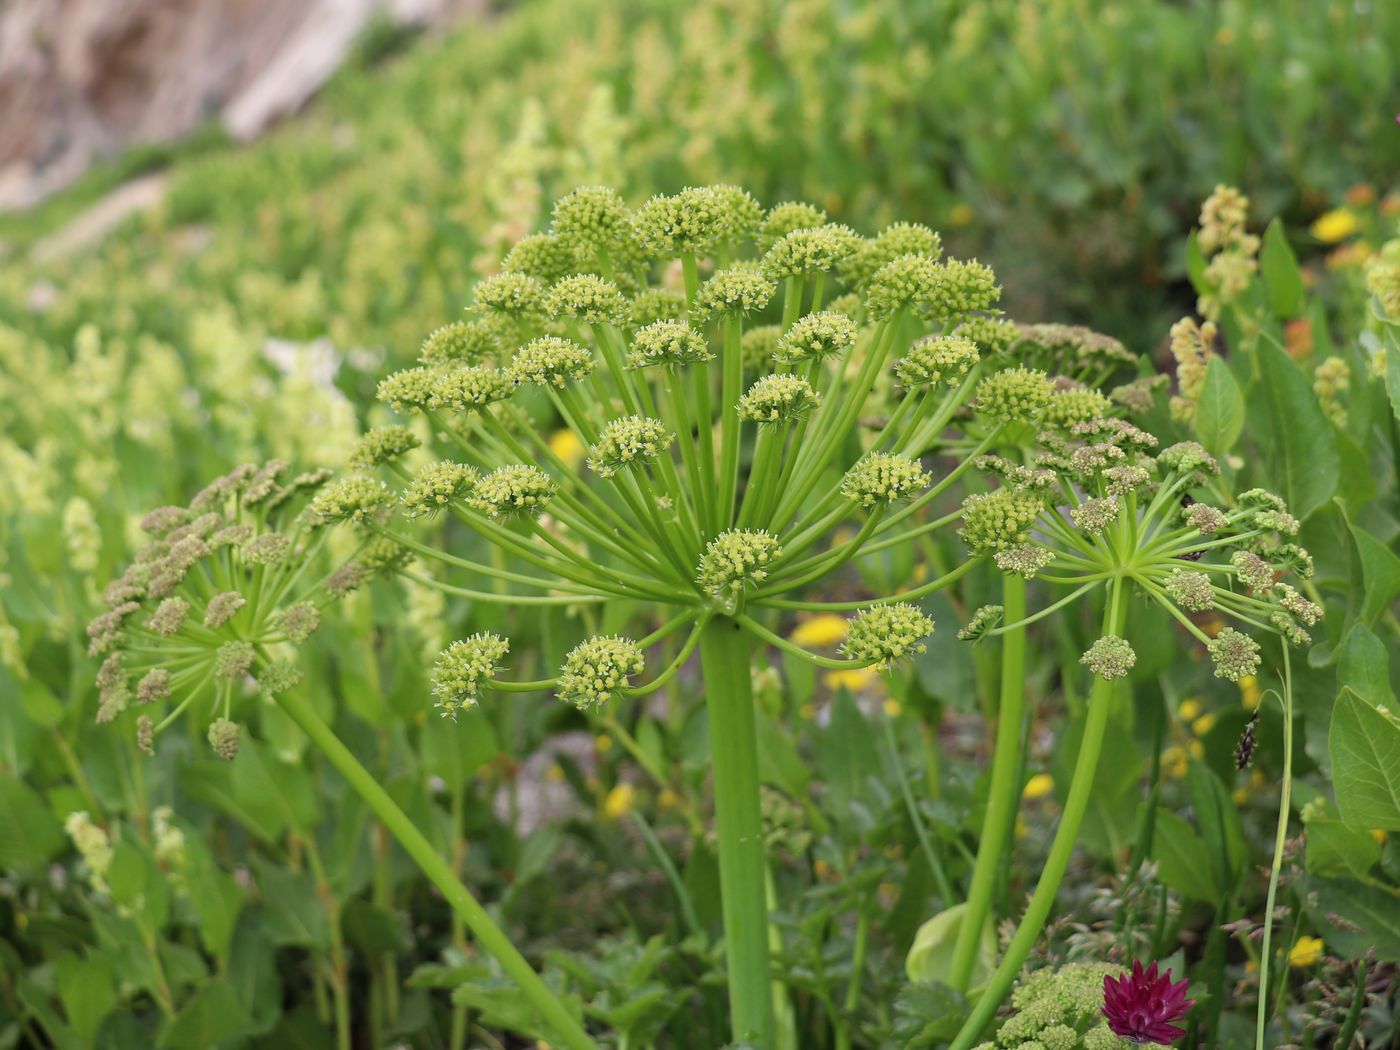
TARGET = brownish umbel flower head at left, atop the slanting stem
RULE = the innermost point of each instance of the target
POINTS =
(213, 608)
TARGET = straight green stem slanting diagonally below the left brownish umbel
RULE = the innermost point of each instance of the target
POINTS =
(440, 873)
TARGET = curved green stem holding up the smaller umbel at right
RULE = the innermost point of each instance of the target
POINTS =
(1042, 901)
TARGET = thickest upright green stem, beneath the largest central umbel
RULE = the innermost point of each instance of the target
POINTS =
(734, 752)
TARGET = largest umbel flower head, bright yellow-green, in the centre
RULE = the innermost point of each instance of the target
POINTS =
(745, 437)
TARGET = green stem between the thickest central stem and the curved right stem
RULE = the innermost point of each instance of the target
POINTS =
(1004, 794)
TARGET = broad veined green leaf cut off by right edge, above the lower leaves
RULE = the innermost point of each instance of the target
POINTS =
(1364, 747)
